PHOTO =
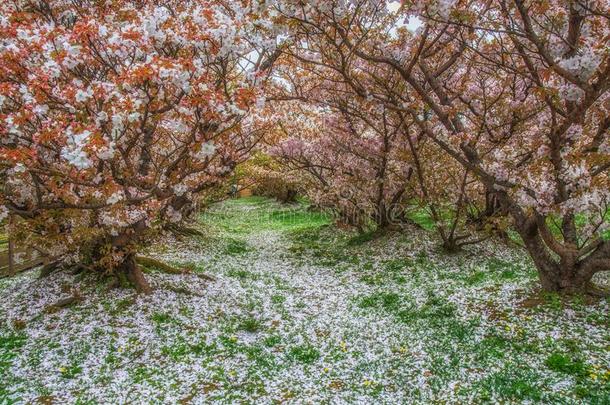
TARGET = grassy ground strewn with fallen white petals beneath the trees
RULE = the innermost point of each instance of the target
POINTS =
(301, 312)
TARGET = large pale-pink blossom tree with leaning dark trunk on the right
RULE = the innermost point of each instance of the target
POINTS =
(519, 96)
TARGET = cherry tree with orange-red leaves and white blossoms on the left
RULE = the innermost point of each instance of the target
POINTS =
(113, 115)
